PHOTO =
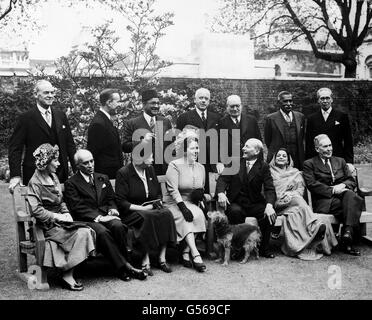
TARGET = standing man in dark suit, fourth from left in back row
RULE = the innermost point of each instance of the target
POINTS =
(204, 119)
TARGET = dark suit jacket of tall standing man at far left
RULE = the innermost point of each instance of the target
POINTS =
(30, 132)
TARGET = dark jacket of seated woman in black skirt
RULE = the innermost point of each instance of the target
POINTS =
(129, 188)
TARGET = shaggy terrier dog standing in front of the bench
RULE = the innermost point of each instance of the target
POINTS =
(234, 239)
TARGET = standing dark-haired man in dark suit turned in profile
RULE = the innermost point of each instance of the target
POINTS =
(103, 137)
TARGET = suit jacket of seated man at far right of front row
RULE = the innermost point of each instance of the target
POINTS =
(318, 180)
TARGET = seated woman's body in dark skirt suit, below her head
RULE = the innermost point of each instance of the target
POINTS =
(154, 226)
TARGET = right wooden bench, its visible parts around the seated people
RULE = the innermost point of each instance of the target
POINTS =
(365, 218)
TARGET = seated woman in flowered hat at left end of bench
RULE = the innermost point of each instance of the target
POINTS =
(68, 243)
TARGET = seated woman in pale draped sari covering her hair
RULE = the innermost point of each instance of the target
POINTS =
(303, 230)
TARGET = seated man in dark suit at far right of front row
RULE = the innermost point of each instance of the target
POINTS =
(331, 183)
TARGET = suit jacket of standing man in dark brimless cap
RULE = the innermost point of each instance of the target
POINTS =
(140, 123)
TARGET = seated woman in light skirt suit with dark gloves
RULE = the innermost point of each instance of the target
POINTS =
(185, 183)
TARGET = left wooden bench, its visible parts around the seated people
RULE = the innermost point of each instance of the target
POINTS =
(30, 238)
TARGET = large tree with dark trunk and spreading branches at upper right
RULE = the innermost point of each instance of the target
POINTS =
(334, 29)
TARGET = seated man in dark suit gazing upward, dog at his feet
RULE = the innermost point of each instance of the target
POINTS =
(244, 194)
